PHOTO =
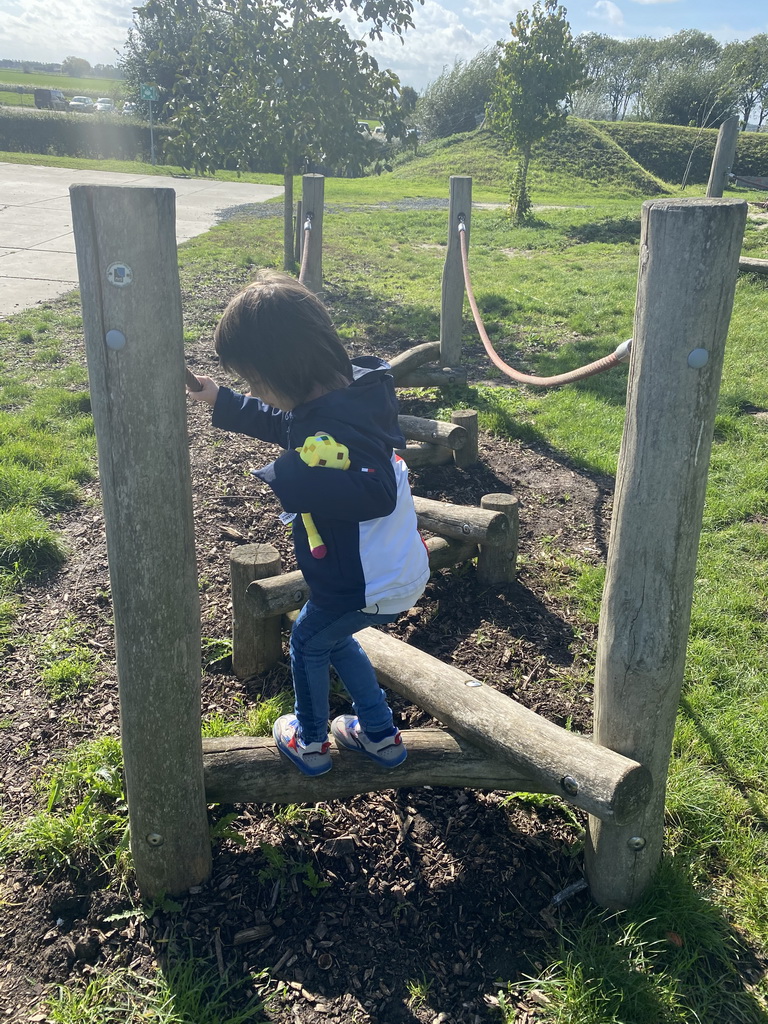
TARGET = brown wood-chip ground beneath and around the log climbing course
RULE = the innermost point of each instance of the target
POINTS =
(420, 904)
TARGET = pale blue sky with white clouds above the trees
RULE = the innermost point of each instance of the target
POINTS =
(445, 31)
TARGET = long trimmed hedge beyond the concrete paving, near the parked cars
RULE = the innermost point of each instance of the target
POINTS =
(86, 136)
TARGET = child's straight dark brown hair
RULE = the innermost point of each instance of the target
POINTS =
(277, 329)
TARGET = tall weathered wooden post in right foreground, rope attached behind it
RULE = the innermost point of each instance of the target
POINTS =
(689, 267)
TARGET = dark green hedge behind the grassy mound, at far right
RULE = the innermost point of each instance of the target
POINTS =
(666, 150)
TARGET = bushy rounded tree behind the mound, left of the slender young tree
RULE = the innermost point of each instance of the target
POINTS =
(457, 101)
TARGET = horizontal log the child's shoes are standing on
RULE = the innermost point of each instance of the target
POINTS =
(249, 770)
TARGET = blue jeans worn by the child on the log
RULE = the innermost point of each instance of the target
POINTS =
(320, 639)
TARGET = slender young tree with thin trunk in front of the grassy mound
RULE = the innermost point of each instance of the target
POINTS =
(538, 69)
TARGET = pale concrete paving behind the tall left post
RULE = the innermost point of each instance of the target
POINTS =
(37, 247)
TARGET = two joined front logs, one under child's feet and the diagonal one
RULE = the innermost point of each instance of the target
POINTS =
(494, 744)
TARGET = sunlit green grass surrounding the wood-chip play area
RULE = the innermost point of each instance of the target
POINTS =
(556, 293)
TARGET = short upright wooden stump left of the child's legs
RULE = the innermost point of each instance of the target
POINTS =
(258, 643)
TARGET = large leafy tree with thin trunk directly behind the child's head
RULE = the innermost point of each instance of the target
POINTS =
(263, 84)
